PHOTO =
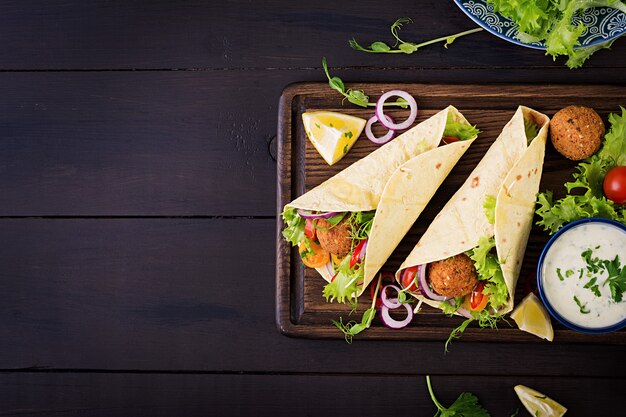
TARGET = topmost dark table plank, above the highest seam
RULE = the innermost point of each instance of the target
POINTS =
(143, 34)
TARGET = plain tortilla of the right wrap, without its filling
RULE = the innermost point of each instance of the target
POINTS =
(511, 171)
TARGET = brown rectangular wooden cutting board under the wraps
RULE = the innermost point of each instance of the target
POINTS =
(301, 310)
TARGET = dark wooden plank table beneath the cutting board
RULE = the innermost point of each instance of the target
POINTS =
(138, 204)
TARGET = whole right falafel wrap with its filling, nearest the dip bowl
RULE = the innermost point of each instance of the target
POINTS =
(468, 260)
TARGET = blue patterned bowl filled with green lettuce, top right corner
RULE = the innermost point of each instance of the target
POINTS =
(572, 28)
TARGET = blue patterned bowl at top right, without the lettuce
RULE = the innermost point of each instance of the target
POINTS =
(603, 23)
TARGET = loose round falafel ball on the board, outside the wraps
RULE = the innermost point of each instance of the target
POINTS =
(576, 132)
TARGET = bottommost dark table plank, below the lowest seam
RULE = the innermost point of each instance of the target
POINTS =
(93, 394)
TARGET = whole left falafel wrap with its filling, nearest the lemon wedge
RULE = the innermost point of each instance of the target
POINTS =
(349, 225)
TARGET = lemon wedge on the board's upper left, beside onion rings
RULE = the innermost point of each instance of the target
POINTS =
(332, 134)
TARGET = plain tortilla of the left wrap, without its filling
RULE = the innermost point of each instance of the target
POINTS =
(397, 180)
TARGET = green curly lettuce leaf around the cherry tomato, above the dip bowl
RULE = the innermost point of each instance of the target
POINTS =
(585, 197)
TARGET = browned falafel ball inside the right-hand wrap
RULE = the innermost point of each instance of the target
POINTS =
(453, 277)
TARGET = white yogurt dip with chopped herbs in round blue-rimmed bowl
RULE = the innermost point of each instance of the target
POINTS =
(583, 275)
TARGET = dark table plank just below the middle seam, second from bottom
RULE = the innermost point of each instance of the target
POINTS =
(198, 295)
